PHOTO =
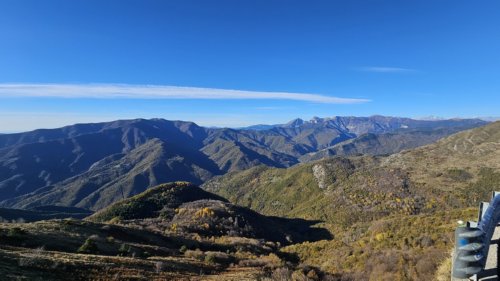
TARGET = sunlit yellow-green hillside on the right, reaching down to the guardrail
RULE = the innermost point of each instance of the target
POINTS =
(397, 210)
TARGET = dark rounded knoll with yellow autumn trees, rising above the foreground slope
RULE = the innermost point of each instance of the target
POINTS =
(186, 207)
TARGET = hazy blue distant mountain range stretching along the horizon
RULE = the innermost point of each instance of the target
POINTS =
(93, 165)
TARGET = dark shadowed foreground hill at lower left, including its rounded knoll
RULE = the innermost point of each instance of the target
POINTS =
(173, 231)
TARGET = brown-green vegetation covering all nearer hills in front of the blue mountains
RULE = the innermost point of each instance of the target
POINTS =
(375, 218)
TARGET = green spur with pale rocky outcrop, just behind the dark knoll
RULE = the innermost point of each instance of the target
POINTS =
(355, 189)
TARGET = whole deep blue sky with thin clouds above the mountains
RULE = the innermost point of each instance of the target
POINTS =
(63, 62)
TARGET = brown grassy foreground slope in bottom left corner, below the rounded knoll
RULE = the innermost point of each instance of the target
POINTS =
(47, 250)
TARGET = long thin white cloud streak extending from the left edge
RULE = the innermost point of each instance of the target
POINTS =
(110, 91)
